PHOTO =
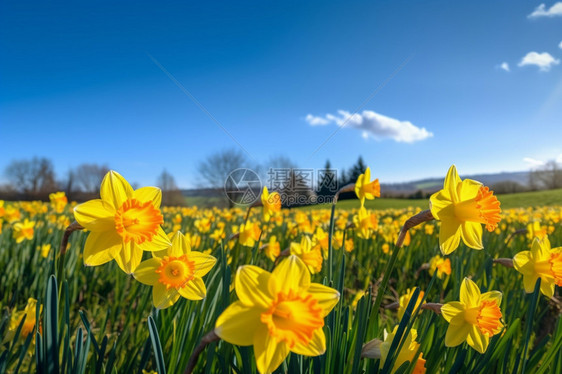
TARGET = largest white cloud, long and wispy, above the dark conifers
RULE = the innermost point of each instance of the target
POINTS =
(374, 125)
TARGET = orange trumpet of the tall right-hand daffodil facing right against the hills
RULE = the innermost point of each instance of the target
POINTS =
(484, 208)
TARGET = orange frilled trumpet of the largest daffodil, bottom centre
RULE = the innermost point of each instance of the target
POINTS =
(293, 318)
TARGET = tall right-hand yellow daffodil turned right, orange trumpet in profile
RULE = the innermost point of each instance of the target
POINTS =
(462, 207)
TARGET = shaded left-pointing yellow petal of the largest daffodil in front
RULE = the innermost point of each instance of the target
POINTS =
(238, 323)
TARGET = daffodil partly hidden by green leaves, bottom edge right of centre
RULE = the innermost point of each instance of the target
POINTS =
(380, 349)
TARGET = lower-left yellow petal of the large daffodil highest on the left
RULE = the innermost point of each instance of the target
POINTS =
(101, 248)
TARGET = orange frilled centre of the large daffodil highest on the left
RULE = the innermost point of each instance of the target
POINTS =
(137, 221)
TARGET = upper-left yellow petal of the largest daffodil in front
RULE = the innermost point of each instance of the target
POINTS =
(254, 286)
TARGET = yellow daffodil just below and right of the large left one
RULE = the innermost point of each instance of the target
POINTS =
(176, 273)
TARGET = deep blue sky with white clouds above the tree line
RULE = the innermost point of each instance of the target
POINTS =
(78, 84)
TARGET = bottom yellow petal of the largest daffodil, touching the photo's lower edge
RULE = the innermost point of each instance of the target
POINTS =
(269, 353)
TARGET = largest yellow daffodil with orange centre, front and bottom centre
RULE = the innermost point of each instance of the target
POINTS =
(277, 313)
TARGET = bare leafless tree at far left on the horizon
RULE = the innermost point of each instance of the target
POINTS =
(34, 178)
